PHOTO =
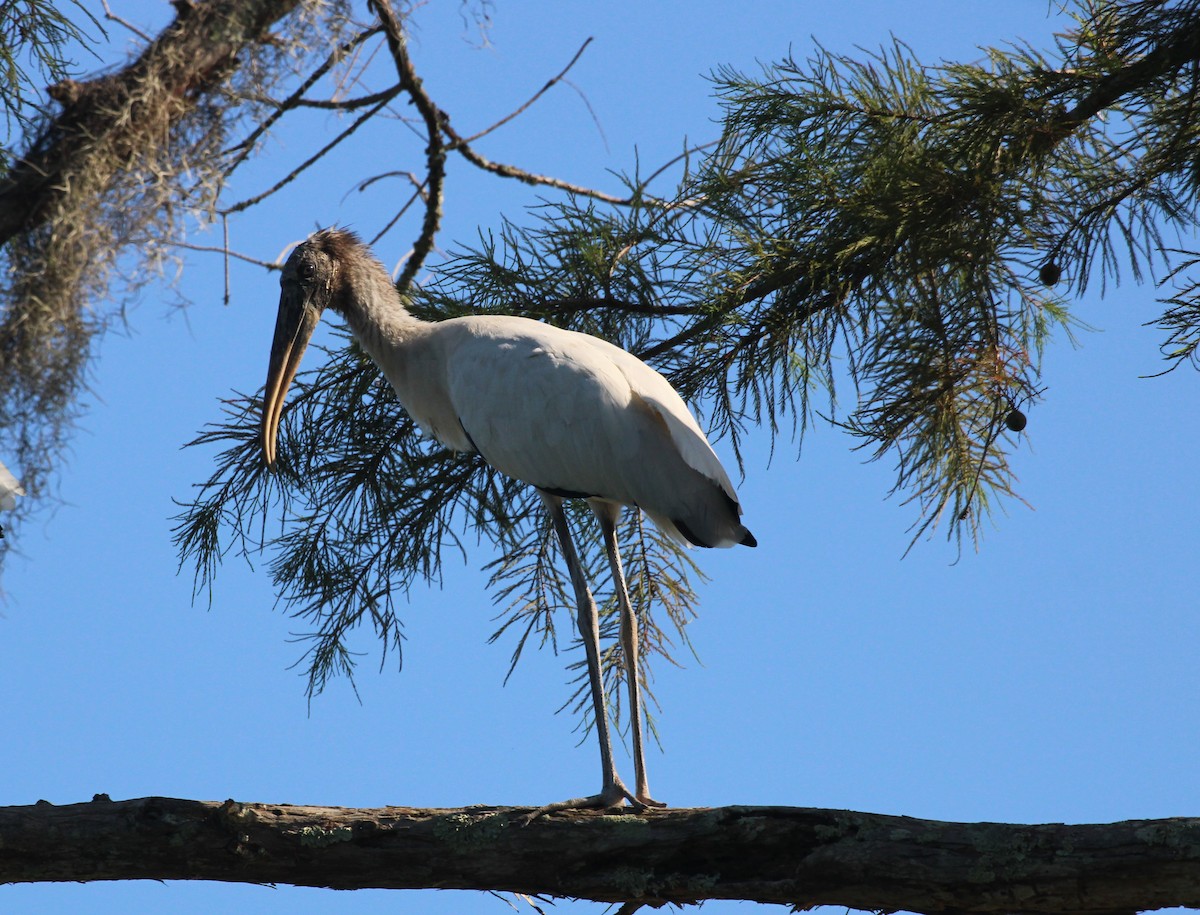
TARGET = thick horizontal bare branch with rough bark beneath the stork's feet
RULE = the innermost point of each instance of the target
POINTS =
(790, 856)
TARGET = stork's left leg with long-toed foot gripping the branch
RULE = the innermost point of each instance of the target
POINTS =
(614, 791)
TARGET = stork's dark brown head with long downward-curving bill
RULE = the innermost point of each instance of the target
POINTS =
(313, 282)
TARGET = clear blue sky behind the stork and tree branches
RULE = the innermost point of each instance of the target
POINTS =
(1048, 678)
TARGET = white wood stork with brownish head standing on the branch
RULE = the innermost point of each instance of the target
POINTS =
(569, 414)
